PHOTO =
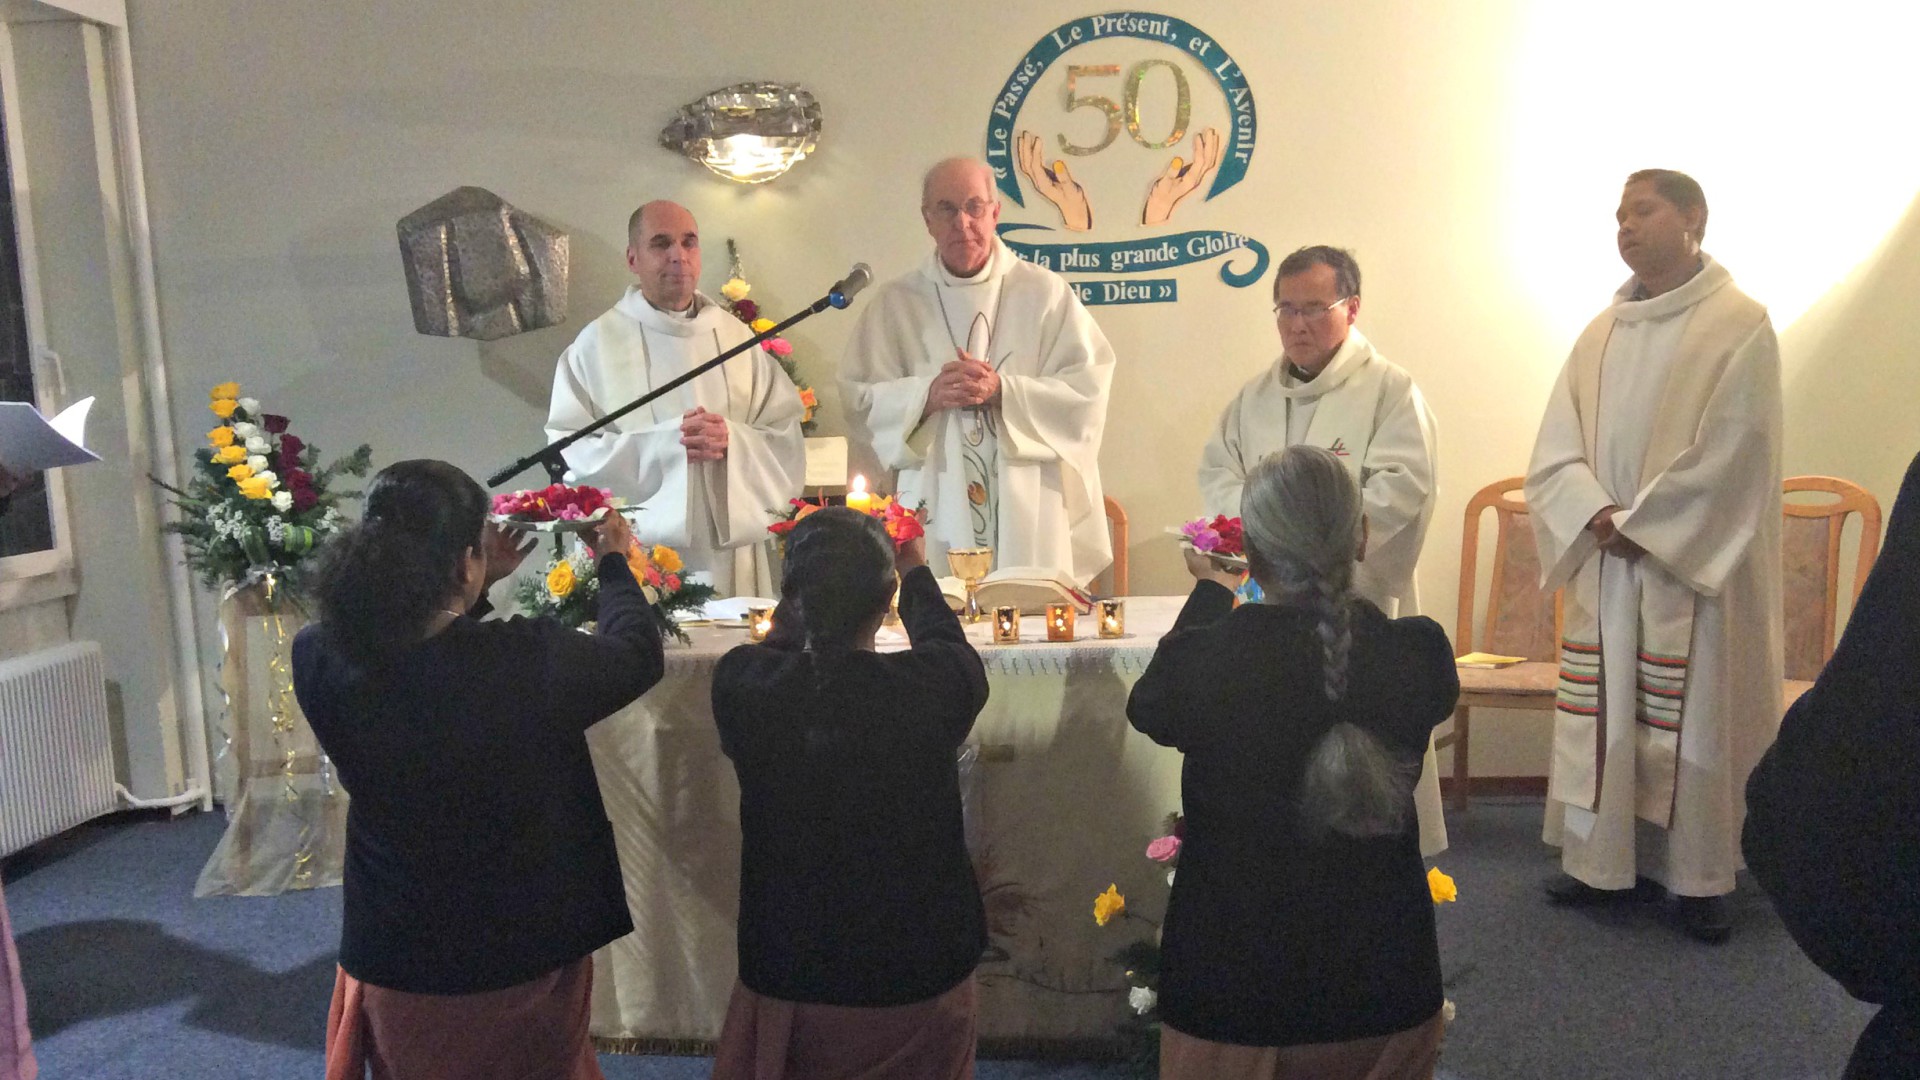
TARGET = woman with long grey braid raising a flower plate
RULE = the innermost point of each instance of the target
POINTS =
(1301, 931)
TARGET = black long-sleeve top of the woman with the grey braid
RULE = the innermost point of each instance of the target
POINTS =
(1274, 939)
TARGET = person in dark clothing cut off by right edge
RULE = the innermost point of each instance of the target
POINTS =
(1835, 808)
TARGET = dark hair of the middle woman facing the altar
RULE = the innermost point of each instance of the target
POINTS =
(838, 577)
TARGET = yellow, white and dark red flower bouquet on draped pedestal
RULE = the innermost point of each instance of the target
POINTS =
(258, 503)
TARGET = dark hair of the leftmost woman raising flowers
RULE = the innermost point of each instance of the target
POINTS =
(381, 581)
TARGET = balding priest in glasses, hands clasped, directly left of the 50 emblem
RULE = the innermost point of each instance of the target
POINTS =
(982, 381)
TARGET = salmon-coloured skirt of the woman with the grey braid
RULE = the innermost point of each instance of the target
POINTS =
(1403, 1056)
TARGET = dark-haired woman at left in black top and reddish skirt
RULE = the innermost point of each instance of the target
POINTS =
(481, 868)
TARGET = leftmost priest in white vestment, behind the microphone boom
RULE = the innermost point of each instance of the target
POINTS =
(711, 462)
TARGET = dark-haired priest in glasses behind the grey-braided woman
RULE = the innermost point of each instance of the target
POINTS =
(1332, 389)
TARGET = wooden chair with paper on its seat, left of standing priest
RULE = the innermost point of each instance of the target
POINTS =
(1520, 622)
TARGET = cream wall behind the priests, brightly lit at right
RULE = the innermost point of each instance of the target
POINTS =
(1470, 155)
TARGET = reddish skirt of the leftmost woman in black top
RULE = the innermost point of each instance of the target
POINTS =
(535, 1031)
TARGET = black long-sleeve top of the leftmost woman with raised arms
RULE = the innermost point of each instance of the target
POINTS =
(479, 854)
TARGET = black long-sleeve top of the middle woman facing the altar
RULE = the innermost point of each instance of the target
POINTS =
(855, 885)
